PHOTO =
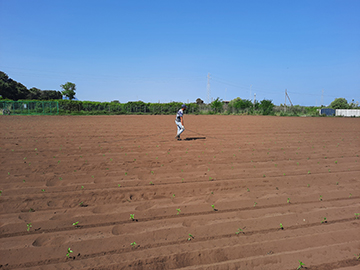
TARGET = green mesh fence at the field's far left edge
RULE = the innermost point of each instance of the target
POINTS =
(29, 107)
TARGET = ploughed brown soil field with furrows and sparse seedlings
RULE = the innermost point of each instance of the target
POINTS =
(97, 170)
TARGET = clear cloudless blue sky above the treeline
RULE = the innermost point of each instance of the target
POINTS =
(163, 50)
